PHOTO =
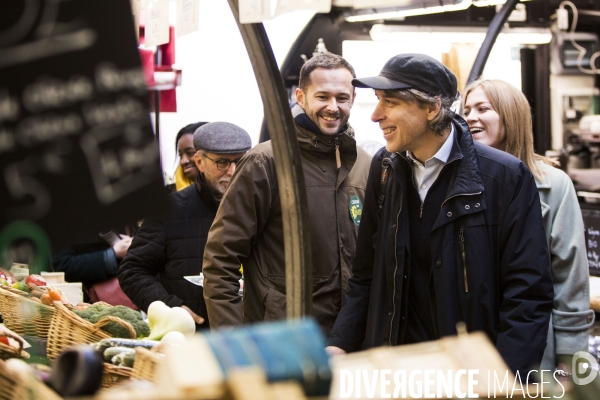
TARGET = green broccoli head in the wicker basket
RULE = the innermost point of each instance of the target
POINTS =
(96, 312)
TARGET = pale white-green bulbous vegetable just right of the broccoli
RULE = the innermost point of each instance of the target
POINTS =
(163, 319)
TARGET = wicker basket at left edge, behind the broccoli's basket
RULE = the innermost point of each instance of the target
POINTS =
(24, 316)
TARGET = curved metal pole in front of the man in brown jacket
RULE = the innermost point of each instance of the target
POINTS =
(292, 190)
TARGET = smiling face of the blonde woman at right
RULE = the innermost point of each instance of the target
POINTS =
(484, 122)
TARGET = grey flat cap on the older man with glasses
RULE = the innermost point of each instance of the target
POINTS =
(222, 138)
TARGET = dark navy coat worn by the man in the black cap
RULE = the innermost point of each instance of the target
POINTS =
(501, 286)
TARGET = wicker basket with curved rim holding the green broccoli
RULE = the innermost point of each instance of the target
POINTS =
(68, 329)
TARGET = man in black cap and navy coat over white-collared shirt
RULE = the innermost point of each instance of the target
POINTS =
(451, 229)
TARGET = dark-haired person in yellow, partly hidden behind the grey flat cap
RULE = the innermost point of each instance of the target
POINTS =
(186, 172)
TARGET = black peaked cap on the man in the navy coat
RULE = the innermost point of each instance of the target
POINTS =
(413, 71)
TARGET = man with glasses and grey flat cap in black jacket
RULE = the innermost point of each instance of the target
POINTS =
(171, 246)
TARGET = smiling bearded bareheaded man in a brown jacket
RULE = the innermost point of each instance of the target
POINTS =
(248, 227)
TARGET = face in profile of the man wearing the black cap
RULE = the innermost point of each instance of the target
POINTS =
(405, 124)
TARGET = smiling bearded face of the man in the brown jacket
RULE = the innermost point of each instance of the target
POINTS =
(328, 98)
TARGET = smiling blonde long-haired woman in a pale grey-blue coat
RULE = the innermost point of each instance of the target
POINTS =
(499, 115)
